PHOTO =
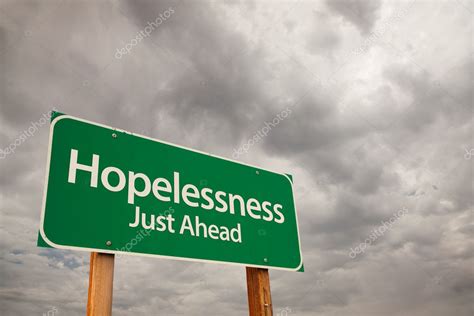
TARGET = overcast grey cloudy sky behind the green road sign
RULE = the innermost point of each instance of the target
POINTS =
(381, 102)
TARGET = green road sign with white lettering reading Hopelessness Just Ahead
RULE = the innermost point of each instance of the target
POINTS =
(108, 190)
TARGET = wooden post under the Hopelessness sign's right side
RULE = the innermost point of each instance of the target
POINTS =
(258, 291)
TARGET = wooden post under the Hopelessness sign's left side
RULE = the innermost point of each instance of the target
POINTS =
(101, 280)
